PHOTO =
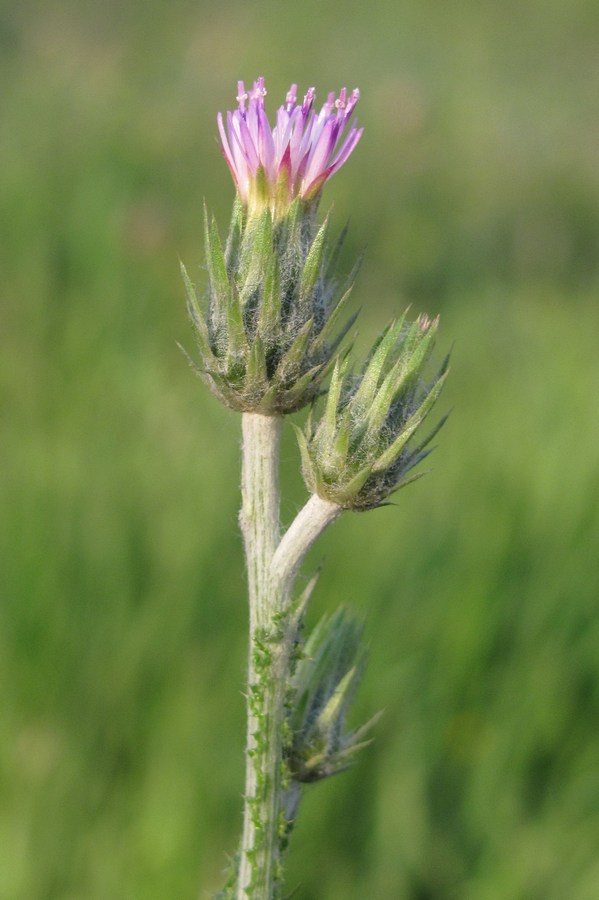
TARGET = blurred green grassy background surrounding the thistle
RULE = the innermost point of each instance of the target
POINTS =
(475, 190)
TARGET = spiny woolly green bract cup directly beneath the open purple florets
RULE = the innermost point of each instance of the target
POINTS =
(267, 329)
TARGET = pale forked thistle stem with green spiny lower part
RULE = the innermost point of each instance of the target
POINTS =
(272, 565)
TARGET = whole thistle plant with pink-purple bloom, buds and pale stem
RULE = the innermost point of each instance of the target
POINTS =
(270, 327)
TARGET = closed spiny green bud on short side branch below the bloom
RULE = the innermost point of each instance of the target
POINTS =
(360, 451)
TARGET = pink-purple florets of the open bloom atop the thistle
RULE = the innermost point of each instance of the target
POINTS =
(273, 166)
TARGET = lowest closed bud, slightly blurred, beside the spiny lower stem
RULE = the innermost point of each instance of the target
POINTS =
(323, 685)
